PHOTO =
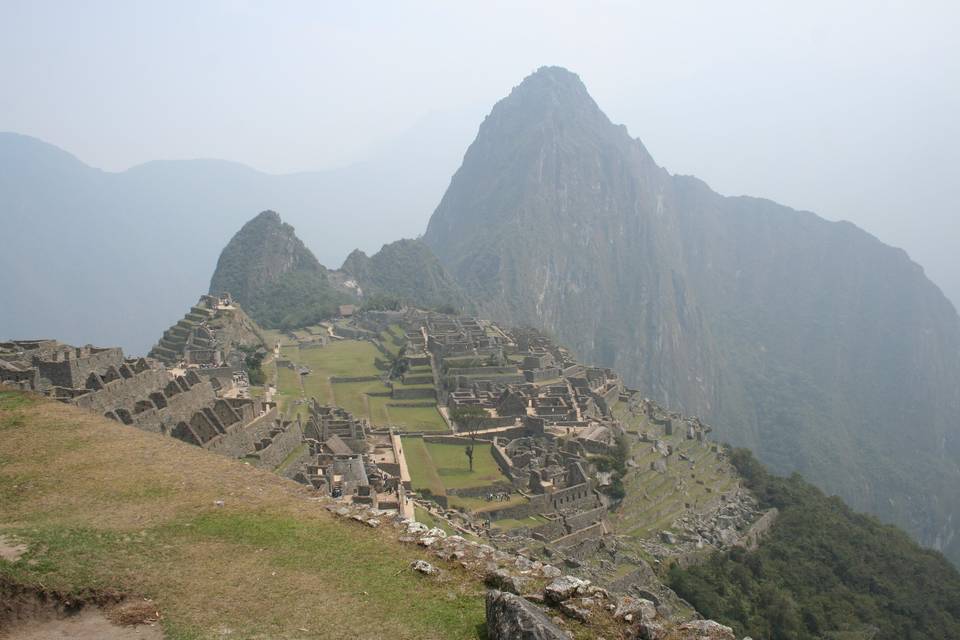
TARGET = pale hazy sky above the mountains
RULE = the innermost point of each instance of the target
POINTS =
(849, 109)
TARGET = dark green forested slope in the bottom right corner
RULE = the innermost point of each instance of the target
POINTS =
(824, 571)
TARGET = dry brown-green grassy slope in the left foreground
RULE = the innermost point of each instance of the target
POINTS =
(105, 506)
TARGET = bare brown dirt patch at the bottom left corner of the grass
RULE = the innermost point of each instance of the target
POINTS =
(32, 614)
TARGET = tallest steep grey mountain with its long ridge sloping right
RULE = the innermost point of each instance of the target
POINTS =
(813, 343)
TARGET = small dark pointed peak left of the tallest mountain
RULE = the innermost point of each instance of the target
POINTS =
(270, 272)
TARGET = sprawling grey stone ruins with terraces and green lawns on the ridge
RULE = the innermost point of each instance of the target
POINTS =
(486, 433)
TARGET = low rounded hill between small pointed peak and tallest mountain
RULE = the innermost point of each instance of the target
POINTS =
(407, 270)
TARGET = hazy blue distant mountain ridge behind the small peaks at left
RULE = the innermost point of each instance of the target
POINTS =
(114, 258)
